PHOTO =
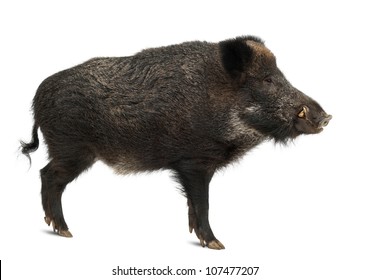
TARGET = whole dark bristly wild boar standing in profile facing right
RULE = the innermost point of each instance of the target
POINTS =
(191, 108)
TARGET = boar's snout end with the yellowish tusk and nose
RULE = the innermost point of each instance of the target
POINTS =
(310, 121)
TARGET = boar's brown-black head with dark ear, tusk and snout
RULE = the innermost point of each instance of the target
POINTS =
(267, 101)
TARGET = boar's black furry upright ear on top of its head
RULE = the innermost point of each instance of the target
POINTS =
(235, 55)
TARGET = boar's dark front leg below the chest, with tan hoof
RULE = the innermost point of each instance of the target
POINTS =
(195, 181)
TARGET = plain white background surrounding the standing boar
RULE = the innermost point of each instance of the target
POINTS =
(297, 212)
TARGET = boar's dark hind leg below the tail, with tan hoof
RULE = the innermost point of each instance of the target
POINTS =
(55, 176)
